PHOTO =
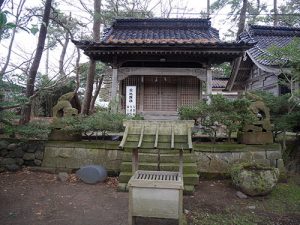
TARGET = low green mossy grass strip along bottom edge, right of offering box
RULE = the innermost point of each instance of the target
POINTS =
(227, 218)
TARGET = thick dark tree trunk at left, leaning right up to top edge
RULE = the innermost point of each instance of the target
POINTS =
(25, 117)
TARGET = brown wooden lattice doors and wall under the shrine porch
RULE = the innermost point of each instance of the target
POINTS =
(163, 93)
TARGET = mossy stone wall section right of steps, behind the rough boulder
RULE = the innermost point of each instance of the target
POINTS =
(217, 159)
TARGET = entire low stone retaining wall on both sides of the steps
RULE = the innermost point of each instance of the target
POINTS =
(211, 159)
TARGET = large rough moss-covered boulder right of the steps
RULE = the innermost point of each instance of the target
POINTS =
(254, 179)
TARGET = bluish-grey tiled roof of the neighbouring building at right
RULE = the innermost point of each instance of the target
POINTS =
(265, 37)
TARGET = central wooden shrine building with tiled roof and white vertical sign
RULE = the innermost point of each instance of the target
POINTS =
(159, 65)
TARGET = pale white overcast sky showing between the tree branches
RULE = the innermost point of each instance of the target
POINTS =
(27, 42)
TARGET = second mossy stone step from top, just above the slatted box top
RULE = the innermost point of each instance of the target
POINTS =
(187, 167)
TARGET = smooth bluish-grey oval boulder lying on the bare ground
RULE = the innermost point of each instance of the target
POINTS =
(92, 174)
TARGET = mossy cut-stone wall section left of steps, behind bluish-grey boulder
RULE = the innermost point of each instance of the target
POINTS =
(73, 155)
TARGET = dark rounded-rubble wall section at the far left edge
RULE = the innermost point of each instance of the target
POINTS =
(16, 153)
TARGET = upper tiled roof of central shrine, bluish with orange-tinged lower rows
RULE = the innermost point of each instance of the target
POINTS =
(164, 31)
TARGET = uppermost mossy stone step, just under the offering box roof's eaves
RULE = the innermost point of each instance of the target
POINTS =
(153, 157)
